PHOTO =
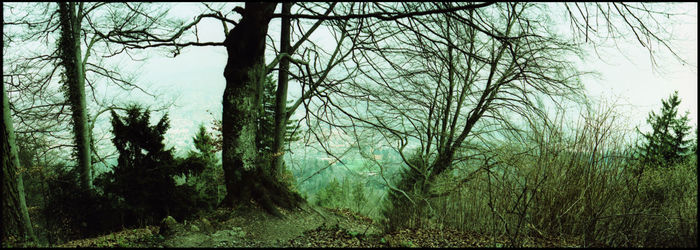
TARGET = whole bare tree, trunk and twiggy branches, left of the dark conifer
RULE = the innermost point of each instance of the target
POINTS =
(73, 63)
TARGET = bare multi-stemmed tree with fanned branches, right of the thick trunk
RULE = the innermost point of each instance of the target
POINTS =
(440, 82)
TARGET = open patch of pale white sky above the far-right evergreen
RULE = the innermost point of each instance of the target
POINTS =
(627, 75)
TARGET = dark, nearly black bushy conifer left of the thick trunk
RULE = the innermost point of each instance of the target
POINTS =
(143, 177)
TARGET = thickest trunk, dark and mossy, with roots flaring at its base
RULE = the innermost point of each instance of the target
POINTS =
(246, 175)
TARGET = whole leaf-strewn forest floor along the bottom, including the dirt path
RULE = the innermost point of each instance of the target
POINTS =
(308, 227)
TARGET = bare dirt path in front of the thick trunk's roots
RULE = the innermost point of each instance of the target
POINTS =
(255, 228)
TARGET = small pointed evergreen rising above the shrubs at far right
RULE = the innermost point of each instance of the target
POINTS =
(667, 143)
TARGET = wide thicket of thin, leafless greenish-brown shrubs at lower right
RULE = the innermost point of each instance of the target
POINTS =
(584, 186)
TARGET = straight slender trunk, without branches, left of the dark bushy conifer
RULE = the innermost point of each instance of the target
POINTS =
(71, 57)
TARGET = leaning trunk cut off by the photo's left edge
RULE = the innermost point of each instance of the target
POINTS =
(15, 217)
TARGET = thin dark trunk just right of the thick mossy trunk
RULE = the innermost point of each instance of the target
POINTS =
(281, 97)
